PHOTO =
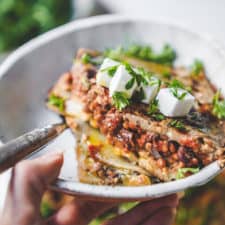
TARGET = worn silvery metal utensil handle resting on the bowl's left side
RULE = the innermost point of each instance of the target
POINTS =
(17, 149)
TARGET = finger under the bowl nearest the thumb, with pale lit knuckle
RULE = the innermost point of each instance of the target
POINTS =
(79, 212)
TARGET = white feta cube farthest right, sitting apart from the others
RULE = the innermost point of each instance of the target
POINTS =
(171, 106)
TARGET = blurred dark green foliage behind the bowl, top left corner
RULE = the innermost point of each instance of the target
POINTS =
(21, 20)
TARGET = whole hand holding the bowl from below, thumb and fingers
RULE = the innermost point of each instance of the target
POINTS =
(29, 181)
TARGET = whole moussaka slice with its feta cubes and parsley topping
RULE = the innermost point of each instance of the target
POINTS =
(139, 119)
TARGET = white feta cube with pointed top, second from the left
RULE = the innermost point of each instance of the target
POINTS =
(120, 80)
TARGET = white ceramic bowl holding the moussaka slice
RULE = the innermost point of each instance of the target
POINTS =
(28, 73)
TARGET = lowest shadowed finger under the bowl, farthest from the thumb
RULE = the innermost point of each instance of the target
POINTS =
(163, 216)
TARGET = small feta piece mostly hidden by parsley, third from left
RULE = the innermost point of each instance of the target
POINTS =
(150, 90)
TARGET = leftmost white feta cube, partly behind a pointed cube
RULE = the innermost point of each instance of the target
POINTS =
(103, 78)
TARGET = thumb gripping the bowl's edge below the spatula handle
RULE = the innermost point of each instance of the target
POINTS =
(29, 181)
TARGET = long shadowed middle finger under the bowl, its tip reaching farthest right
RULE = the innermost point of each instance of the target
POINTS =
(143, 210)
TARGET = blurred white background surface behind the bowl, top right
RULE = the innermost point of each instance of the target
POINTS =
(206, 16)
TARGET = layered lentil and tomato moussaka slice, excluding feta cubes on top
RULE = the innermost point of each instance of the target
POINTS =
(137, 144)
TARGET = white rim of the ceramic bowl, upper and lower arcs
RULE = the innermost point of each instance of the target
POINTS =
(116, 192)
